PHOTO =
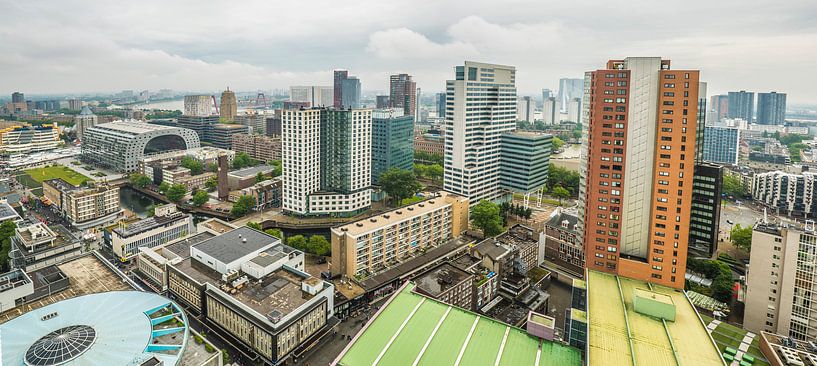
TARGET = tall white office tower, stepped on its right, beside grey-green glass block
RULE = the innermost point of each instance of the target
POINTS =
(482, 102)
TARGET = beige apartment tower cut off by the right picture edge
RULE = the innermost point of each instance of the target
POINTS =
(781, 279)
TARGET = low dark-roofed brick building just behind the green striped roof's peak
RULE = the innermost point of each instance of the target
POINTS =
(448, 284)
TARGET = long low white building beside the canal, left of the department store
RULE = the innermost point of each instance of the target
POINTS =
(166, 225)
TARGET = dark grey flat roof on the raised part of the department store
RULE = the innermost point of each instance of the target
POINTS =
(235, 244)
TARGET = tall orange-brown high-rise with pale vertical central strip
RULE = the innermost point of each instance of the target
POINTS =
(638, 163)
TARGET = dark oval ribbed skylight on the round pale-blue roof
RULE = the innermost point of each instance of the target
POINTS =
(60, 346)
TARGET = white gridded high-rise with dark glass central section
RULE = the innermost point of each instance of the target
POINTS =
(327, 161)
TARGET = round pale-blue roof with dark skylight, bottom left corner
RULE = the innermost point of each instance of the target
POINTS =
(110, 328)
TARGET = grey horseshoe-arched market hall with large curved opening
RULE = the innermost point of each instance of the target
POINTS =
(120, 145)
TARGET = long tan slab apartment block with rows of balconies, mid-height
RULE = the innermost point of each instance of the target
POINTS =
(372, 245)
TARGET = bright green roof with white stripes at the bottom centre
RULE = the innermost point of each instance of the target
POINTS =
(411, 328)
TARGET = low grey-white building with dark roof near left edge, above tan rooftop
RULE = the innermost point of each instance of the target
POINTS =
(37, 246)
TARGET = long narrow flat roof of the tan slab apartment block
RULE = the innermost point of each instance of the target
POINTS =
(395, 216)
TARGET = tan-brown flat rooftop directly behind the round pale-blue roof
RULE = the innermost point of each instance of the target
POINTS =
(86, 274)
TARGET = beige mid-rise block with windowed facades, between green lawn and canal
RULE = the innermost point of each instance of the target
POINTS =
(83, 207)
